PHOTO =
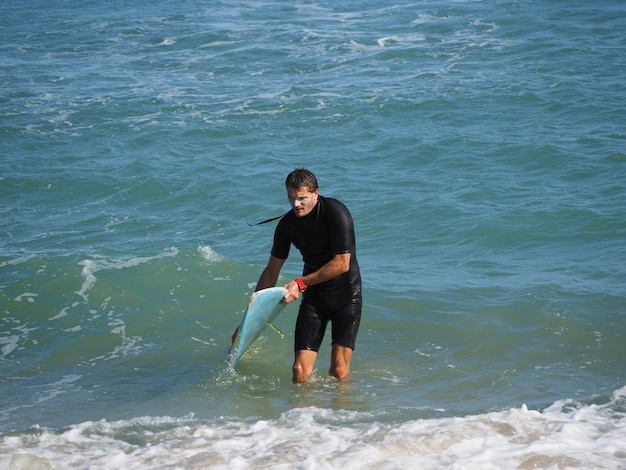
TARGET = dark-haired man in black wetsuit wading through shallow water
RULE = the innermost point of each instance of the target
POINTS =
(323, 230)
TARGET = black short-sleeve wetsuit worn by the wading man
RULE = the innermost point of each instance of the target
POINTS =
(326, 231)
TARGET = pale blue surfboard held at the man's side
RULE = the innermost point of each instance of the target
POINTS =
(263, 307)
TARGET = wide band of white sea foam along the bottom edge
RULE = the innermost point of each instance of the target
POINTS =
(564, 435)
